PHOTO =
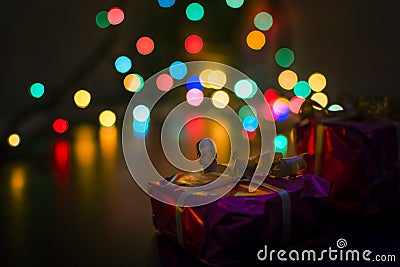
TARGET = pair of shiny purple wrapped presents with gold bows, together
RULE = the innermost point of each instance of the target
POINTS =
(347, 165)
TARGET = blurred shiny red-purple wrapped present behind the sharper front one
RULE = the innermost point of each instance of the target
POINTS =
(360, 158)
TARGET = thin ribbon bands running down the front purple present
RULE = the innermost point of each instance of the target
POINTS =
(285, 201)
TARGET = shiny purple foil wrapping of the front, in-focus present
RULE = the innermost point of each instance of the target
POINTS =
(233, 228)
